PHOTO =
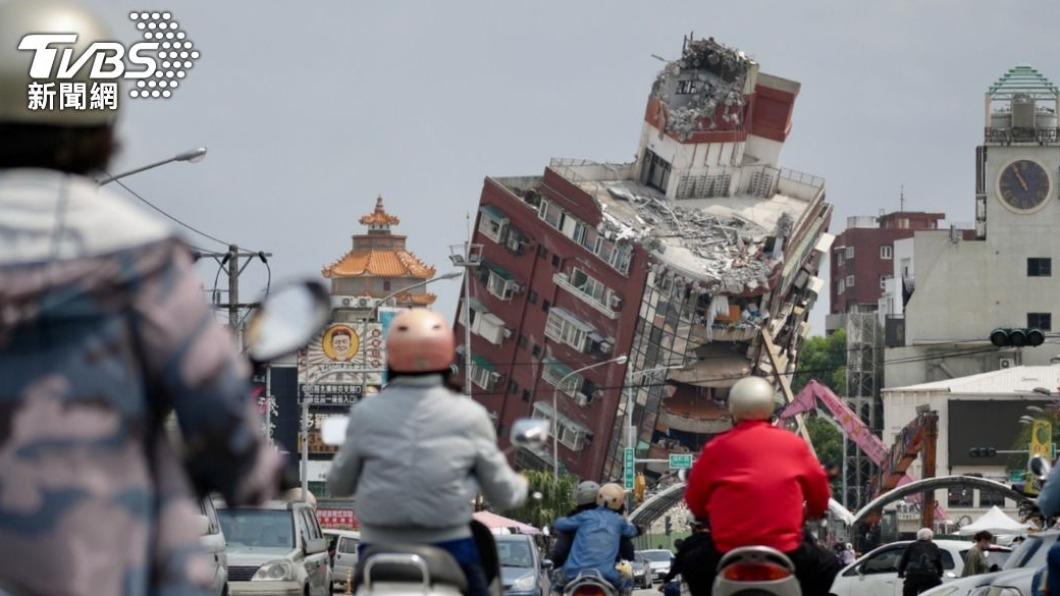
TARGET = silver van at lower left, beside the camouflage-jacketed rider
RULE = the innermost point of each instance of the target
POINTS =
(276, 550)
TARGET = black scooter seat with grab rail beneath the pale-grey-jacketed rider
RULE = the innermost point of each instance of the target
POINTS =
(441, 567)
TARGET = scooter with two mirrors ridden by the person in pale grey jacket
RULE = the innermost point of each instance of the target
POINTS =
(397, 570)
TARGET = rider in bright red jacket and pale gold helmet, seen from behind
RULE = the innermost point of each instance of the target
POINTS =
(757, 485)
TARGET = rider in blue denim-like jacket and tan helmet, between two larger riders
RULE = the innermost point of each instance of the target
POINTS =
(598, 534)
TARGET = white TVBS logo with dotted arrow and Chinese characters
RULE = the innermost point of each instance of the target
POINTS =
(158, 65)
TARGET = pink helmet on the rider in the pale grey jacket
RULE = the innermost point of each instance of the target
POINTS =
(420, 341)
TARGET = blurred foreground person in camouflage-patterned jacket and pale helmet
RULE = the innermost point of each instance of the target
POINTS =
(104, 334)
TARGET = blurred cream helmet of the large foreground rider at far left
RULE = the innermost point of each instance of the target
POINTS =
(22, 17)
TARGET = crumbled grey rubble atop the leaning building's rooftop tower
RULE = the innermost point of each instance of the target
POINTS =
(703, 87)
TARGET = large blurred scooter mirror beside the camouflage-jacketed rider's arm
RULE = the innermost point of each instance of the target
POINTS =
(288, 320)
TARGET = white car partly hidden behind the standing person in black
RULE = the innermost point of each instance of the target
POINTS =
(876, 574)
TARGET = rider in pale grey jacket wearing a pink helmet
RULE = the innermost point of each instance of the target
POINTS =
(417, 454)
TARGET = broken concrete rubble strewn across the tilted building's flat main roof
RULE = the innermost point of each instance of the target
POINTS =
(729, 251)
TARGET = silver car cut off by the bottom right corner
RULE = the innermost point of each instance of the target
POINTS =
(1017, 574)
